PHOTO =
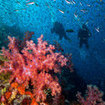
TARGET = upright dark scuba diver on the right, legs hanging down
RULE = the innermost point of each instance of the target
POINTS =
(83, 35)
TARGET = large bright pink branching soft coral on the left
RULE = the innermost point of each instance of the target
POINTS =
(35, 63)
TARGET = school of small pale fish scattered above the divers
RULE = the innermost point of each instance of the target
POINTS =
(77, 16)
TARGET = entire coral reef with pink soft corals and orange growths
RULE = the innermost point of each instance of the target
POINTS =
(29, 75)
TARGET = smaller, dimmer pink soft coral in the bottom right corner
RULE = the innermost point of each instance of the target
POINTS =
(93, 96)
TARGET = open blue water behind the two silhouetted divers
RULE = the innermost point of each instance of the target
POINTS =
(39, 18)
